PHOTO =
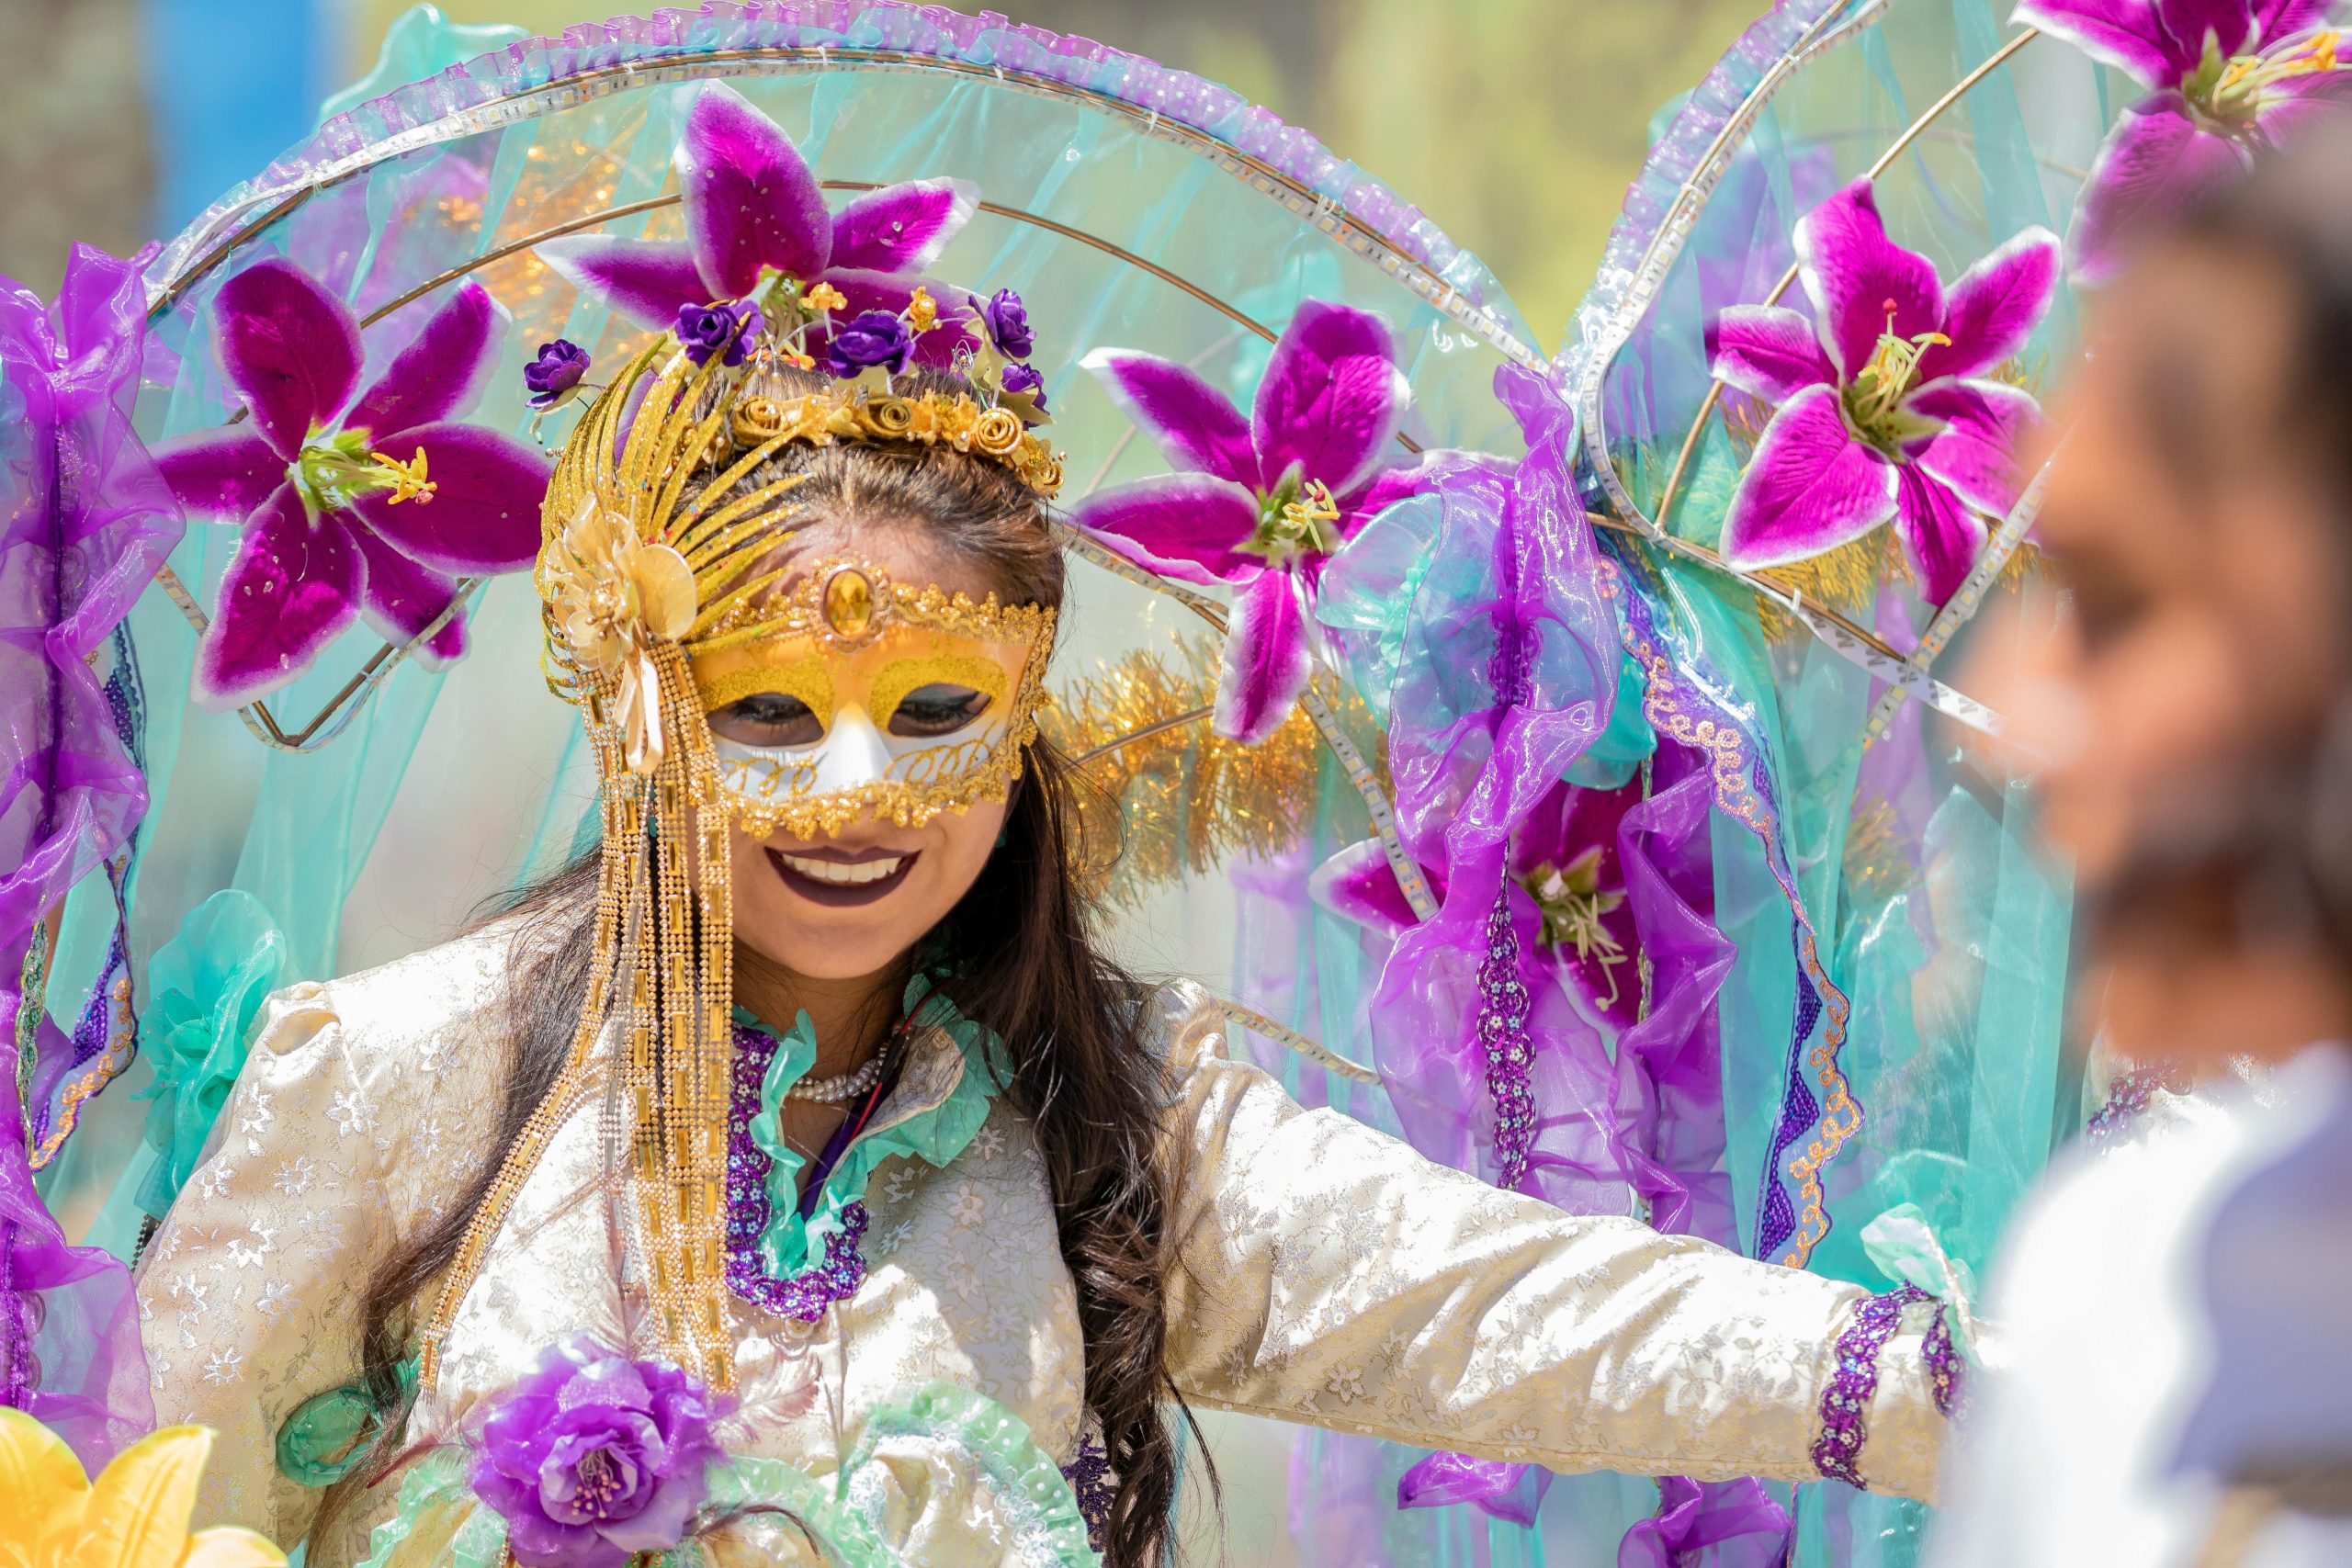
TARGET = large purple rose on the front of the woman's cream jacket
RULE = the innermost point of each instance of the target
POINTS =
(594, 1459)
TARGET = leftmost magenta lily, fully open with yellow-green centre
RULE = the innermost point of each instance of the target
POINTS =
(354, 504)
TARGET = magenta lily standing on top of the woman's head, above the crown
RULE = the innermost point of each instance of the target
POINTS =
(756, 217)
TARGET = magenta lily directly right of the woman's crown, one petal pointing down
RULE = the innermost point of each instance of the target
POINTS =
(1262, 502)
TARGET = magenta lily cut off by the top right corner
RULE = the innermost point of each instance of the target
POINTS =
(2229, 79)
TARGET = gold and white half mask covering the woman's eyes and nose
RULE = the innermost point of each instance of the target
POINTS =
(850, 697)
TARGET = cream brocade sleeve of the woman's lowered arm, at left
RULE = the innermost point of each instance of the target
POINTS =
(354, 1123)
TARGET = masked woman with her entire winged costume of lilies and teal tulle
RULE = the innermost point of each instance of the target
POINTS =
(1593, 800)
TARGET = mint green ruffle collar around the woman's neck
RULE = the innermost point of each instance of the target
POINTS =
(951, 1073)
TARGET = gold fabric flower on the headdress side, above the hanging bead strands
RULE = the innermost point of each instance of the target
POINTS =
(613, 598)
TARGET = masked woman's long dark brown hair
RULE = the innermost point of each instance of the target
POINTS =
(1022, 963)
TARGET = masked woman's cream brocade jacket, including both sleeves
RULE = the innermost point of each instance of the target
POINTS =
(1328, 1275)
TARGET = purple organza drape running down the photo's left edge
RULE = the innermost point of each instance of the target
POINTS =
(88, 523)
